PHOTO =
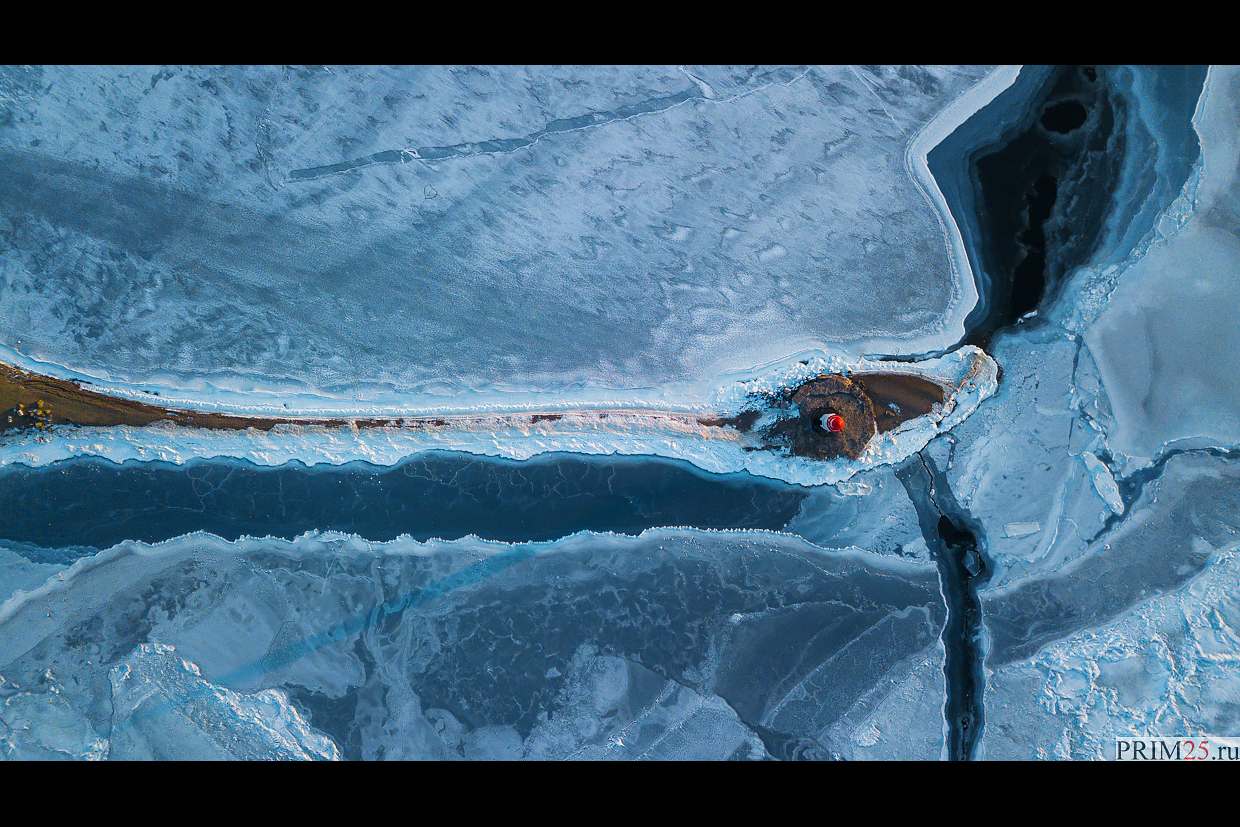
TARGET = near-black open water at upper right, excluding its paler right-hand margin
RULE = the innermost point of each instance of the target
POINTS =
(1004, 173)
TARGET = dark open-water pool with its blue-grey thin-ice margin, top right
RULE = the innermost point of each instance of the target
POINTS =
(1032, 179)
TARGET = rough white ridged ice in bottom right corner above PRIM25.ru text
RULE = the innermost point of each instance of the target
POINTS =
(1170, 666)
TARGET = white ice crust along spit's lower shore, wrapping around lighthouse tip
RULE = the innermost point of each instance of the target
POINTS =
(973, 376)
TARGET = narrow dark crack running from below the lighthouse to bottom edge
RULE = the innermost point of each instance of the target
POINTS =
(953, 539)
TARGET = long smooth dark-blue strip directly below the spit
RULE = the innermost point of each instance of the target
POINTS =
(91, 504)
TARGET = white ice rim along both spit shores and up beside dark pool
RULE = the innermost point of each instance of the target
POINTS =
(638, 431)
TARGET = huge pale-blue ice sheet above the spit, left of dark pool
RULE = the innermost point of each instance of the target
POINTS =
(442, 230)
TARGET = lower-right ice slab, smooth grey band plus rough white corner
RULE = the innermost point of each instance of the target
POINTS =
(1140, 637)
